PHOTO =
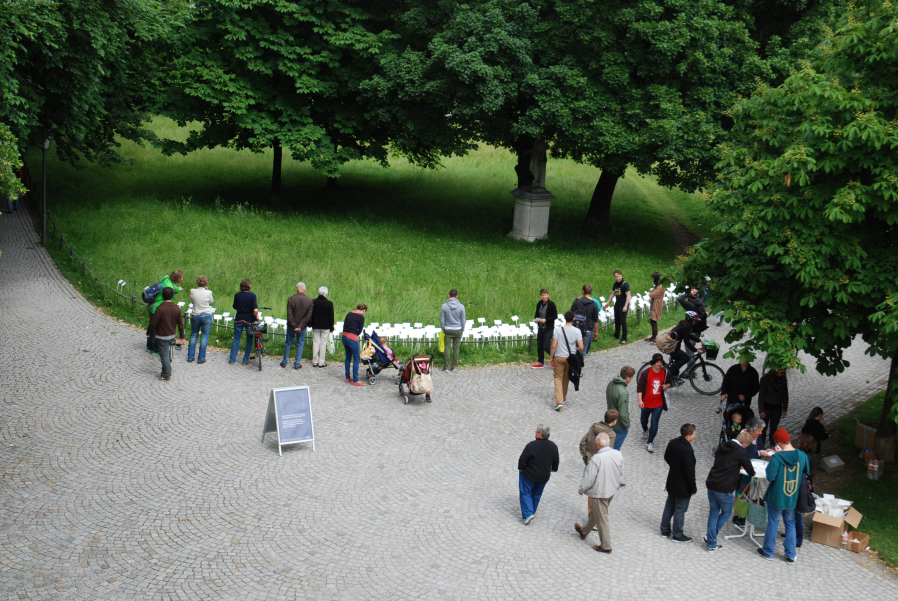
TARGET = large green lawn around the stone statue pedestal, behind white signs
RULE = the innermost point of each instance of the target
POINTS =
(396, 239)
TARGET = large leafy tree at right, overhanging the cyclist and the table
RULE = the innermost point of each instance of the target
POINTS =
(806, 250)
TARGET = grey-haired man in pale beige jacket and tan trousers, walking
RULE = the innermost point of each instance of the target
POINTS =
(601, 480)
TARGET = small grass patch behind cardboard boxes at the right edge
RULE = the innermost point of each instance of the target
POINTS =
(874, 499)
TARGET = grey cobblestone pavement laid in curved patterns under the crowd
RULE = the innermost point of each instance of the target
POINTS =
(119, 486)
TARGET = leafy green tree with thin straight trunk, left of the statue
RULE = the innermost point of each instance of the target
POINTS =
(281, 74)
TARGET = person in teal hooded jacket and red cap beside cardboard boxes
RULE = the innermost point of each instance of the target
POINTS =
(784, 476)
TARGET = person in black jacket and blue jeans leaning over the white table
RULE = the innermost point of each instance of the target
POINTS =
(722, 482)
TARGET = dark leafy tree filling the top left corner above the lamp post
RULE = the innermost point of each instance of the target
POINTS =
(81, 70)
